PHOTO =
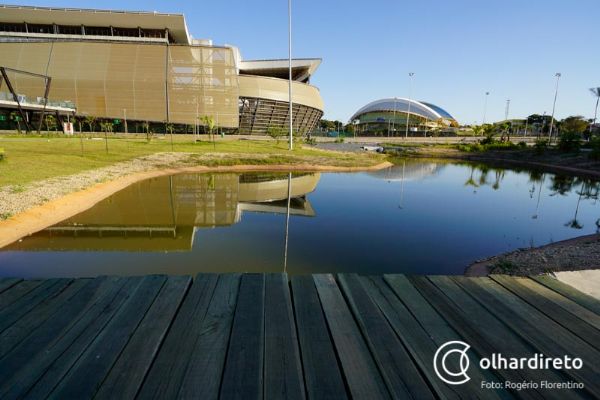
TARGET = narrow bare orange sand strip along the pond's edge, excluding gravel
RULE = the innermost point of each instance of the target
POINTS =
(54, 211)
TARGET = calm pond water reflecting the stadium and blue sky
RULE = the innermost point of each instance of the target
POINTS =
(417, 217)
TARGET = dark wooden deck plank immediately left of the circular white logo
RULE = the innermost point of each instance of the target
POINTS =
(397, 368)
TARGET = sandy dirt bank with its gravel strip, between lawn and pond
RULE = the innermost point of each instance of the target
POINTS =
(48, 202)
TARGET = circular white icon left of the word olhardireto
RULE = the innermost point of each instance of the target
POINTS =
(451, 362)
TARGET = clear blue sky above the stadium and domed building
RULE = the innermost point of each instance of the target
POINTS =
(458, 50)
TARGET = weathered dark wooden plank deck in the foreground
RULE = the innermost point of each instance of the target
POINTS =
(262, 336)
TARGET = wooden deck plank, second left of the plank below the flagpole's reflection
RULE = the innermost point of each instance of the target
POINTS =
(202, 378)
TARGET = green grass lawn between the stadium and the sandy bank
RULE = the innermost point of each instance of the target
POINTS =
(28, 159)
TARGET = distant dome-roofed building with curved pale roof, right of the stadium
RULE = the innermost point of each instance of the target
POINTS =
(390, 116)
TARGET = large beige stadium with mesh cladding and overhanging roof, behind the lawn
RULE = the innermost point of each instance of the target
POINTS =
(145, 66)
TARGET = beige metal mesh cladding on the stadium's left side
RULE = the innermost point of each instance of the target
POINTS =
(111, 80)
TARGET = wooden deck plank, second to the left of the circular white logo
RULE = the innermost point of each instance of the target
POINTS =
(360, 370)
